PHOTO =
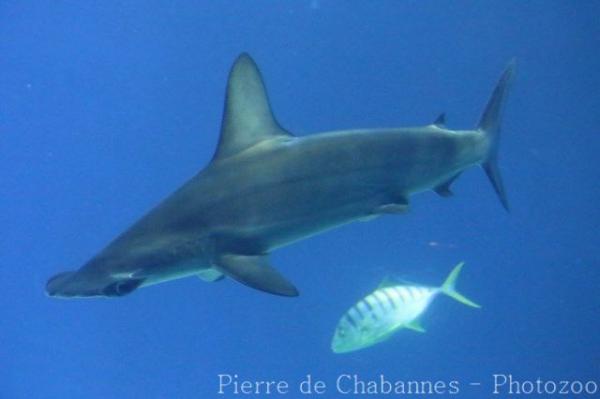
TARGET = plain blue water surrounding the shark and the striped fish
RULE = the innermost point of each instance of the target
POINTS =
(107, 107)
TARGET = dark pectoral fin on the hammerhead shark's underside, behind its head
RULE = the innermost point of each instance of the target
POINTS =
(255, 271)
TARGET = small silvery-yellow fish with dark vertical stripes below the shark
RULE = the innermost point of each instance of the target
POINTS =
(388, 309)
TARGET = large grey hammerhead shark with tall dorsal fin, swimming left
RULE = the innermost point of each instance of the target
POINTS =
(265, 189)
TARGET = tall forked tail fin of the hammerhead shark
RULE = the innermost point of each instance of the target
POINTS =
(489, 124)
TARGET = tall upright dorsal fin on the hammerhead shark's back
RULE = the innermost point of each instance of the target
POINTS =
(247, 118)
